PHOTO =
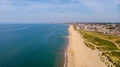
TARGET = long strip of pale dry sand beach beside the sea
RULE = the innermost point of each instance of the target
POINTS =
(78, 55)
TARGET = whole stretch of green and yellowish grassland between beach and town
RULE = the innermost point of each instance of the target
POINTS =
(104, 43)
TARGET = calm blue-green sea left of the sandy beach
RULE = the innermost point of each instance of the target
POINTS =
(33, 45)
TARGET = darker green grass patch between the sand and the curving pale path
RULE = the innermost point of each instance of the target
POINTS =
(101, 44)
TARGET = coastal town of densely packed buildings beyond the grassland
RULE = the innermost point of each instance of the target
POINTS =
(109, 29)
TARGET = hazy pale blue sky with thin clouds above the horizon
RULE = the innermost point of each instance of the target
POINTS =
(59, 10)
